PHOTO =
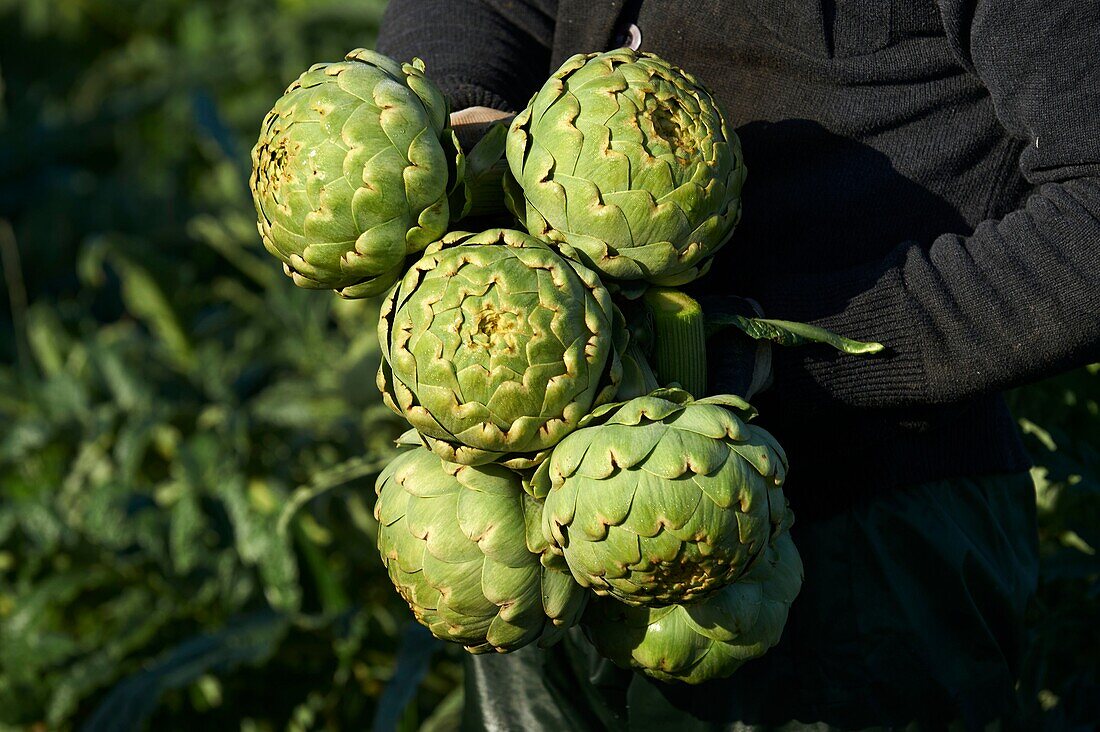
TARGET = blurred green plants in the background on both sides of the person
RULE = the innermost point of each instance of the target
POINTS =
(189, 444)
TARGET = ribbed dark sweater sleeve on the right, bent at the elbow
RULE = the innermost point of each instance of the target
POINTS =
(1018, 300)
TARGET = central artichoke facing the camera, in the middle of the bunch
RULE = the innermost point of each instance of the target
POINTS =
(496, 347)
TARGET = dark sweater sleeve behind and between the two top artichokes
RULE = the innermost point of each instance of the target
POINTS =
(488, 53)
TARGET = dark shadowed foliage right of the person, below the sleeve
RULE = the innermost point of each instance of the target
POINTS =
(1061, 421)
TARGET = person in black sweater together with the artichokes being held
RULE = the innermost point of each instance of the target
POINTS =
(581, 294)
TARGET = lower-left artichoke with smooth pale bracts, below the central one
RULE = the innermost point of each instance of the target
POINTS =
(463, 547)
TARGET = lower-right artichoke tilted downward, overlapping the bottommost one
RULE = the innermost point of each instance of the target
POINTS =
(663, 500)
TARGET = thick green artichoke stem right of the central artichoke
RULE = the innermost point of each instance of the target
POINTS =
(679, 340)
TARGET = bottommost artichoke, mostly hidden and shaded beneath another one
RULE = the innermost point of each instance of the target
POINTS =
(708, 640)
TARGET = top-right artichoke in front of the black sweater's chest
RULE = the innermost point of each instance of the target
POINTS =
(626, 163)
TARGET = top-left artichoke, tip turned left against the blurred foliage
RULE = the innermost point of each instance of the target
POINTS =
(350, 174)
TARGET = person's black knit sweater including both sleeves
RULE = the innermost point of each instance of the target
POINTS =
(922, 174)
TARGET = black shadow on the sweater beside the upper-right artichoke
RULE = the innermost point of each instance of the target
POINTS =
(807, 205)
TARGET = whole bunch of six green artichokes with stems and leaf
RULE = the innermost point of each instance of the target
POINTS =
(565, 464)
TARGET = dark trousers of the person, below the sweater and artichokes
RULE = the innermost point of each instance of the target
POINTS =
(895, 625)
